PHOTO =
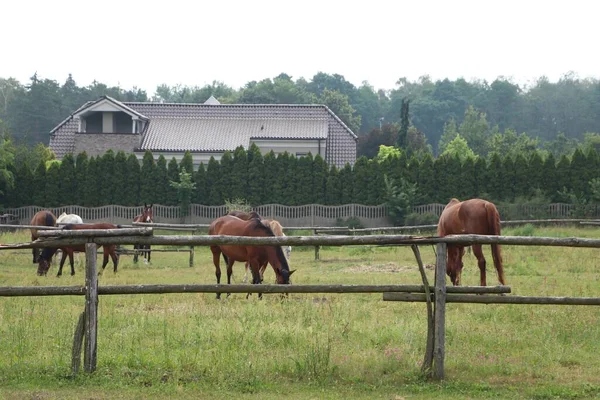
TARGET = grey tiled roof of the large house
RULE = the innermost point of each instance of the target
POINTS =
(219, 127)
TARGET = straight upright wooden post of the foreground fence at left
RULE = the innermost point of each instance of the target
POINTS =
(91, 308)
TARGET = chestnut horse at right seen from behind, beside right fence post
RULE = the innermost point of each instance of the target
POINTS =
(474, 216)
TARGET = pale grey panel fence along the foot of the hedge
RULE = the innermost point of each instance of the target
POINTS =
(309, 215)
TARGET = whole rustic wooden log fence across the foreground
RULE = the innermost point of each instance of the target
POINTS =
(435, 296)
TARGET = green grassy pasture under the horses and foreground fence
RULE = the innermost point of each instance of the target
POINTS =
(311, 346)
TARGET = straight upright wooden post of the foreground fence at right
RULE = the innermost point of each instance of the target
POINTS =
(439, 348)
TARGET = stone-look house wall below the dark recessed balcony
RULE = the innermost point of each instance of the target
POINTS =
(97, 144)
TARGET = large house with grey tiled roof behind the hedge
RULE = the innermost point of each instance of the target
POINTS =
(206, 130)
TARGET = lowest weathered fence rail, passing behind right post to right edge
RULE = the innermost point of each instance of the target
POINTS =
(477, 299)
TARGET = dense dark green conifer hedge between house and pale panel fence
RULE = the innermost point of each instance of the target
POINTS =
(392, 177)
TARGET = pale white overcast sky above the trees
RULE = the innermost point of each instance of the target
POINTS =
(193, 43)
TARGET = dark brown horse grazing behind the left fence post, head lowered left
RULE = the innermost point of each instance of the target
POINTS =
(108, 249)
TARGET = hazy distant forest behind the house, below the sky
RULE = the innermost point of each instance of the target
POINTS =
(554, 116)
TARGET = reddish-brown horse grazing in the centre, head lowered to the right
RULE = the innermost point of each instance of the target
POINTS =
(255, 255)
